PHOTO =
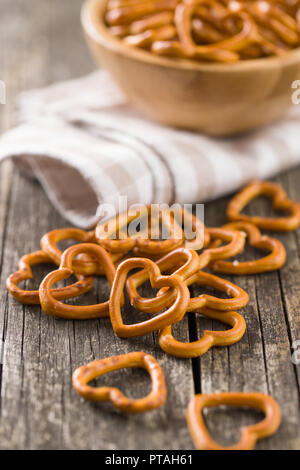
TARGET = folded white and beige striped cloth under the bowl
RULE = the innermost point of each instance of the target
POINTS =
(87, 146)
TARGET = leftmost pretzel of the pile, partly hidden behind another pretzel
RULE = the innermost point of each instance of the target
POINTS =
(31, 297)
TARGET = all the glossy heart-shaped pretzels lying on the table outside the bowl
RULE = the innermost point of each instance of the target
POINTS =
(171, 265)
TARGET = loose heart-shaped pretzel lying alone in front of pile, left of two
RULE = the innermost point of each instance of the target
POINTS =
(91, 371)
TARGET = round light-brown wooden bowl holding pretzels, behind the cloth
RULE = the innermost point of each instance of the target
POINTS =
(216, 99)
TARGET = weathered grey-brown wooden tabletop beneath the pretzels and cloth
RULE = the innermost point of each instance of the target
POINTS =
(42, 42)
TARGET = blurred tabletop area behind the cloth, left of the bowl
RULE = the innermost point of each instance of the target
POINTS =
(41, 41)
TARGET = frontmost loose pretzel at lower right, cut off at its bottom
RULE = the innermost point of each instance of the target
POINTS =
(249, 434)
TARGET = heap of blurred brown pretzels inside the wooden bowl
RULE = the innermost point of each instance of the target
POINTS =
(207, 30)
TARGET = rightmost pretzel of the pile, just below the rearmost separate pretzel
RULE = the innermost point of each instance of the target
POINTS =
(271, 262)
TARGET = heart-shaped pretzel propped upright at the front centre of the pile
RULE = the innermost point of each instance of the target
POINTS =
(172, 315)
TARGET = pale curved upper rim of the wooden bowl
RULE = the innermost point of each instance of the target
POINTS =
(92, 20)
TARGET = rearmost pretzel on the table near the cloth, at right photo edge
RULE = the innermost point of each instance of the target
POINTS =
(281, 202)
